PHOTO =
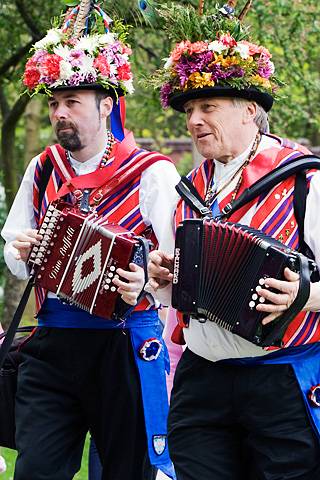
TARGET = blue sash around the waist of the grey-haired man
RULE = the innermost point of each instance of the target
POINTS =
(305, 361)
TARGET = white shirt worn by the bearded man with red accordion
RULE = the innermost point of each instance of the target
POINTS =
(157, 196)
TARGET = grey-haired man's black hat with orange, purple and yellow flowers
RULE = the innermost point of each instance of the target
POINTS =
(213, 56)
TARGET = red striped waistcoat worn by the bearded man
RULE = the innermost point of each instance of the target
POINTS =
(121, 207)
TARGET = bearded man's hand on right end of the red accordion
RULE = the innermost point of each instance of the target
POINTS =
(133, 283)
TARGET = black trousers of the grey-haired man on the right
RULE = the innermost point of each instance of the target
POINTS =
(230, 422)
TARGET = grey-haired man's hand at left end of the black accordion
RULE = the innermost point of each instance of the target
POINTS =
(160, 268)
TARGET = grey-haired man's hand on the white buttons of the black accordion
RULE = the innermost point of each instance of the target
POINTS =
(281, 300)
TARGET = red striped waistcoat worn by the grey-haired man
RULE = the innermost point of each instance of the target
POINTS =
(273, 214)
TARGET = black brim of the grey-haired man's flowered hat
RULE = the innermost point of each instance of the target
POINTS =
(178, 99)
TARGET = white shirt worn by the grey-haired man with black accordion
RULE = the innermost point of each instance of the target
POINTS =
(208, 339)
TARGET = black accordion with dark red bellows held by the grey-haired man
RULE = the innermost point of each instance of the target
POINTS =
(218, 270)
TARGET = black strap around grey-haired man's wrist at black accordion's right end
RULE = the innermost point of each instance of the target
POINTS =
(302, 296)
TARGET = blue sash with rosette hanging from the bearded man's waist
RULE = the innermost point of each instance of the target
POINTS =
(144, 328)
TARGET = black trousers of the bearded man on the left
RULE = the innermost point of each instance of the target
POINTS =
(71, 381)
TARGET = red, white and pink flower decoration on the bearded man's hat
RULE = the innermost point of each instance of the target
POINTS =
(84, 51)
